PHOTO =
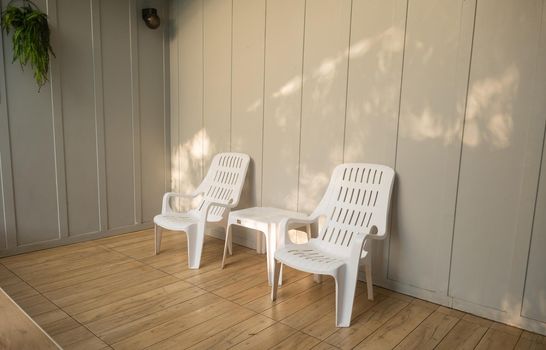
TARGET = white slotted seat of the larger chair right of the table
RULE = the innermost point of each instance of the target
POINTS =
(308, 258)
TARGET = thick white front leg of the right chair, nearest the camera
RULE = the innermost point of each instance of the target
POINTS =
(345, 293)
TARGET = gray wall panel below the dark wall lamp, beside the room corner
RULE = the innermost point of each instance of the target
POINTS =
(152, 111)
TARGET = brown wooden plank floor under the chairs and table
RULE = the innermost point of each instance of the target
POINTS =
(114, 293)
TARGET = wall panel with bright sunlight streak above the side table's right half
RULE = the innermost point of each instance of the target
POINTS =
(282, 102)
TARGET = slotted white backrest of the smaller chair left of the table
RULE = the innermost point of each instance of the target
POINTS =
(224, 181)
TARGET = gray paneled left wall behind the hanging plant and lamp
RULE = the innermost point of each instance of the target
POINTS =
(88, 155)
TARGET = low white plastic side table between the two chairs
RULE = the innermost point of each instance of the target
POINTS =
(265, 220)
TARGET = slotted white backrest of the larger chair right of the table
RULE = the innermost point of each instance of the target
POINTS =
(357, 198)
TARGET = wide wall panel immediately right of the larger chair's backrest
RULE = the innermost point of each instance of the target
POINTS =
(431, 114)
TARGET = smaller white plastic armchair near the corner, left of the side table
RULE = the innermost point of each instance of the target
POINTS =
(220, 191)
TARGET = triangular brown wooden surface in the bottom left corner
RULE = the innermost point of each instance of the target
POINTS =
(18, 330)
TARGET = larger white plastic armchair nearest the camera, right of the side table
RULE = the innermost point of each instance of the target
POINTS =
(355, 207)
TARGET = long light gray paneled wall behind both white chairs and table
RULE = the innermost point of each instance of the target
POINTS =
(449, 93)
